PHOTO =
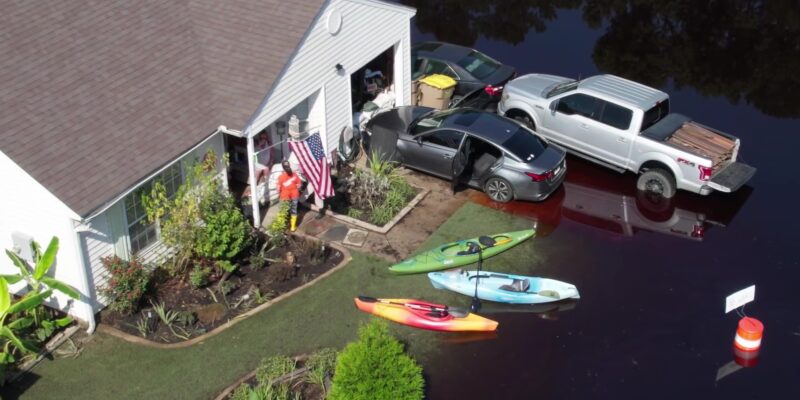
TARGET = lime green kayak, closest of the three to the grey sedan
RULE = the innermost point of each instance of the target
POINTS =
(460, 253)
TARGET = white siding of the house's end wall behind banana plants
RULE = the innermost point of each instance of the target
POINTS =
(29, 208)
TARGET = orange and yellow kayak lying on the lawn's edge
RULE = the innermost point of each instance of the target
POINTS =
(421, 314)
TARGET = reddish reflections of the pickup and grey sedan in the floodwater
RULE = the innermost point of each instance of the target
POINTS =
(610, 202)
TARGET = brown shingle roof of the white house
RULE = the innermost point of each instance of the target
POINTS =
(97, 95)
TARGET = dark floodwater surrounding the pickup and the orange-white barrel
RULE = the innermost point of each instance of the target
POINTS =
(652, 277)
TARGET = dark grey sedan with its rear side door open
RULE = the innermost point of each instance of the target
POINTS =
(484, 150)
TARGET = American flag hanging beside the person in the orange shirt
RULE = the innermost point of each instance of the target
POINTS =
(313, 164)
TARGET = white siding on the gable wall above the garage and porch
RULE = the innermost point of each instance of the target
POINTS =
(368, 29)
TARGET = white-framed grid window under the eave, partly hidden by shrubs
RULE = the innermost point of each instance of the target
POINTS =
(141, 232)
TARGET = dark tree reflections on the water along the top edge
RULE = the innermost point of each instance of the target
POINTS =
(741, 50)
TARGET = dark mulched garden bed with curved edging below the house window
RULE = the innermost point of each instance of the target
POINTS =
(192, 312)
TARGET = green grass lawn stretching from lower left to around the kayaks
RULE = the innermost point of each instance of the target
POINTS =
(322, 316)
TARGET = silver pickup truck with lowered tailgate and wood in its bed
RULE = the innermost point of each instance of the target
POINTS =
(625, 125)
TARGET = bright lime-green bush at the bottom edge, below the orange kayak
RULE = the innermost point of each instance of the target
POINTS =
(376, 367)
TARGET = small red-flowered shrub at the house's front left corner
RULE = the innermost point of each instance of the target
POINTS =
(126, 285)
